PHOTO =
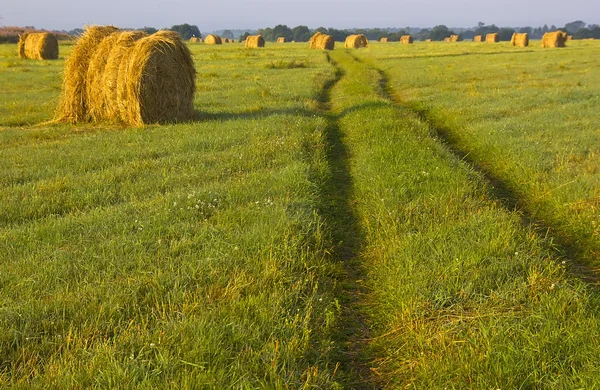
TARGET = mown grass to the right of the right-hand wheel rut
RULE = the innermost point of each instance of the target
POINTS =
(527, 116)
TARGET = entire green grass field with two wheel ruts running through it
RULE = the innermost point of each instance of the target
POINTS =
(402, 216)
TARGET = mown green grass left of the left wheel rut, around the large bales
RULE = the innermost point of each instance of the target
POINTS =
(183, 256)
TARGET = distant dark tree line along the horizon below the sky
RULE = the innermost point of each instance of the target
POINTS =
(578, 29)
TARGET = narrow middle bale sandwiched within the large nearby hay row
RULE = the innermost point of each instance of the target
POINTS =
(118, 53)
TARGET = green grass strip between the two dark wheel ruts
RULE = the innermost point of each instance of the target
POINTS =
(462, 294)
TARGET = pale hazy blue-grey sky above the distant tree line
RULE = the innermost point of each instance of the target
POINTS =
(341, 14)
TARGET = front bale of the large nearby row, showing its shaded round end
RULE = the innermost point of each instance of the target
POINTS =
(159, 80)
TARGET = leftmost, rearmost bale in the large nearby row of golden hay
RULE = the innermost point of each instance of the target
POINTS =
(73, 105)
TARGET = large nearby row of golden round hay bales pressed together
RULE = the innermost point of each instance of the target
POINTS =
(153, 76)
